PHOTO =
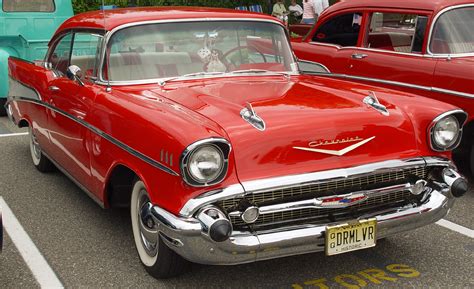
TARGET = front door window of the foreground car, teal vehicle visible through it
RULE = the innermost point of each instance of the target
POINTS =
(85, 53)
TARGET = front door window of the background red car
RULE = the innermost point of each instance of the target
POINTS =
(396, 32)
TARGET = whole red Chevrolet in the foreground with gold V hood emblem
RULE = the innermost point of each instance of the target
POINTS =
(200, 121)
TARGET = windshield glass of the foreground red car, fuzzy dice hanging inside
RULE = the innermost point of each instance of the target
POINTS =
(154, 51)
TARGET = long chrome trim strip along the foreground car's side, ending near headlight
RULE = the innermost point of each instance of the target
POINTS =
(101, 133)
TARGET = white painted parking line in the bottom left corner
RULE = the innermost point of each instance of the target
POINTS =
(30, 253)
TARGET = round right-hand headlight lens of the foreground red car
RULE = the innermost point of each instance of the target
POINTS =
(445, 133)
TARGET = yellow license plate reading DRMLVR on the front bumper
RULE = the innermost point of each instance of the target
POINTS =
(350, 237)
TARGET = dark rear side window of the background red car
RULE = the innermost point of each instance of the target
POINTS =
(341, 30)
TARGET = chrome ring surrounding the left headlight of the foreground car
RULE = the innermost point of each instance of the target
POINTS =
(221, 145)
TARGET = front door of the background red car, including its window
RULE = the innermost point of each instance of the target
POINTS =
(392, 49)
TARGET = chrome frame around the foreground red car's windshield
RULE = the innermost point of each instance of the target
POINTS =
(110, 33)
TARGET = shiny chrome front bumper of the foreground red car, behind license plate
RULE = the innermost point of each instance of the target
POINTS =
(186, 236)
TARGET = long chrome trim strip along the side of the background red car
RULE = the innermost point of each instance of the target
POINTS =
(396, 83)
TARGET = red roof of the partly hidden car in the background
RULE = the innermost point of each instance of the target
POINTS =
(430, 5)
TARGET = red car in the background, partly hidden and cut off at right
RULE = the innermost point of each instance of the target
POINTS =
(418, 46)
